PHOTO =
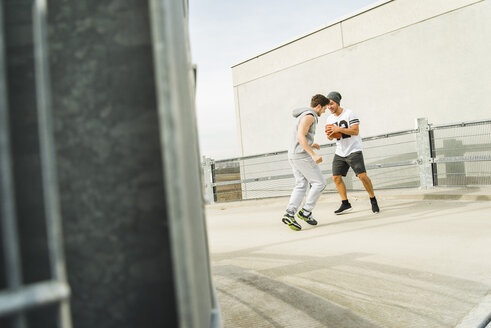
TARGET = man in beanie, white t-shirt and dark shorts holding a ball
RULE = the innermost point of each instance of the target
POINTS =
(348, 151)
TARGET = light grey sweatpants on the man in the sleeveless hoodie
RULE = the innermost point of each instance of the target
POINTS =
(305, 171)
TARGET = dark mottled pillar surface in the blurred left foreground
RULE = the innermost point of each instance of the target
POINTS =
(109, 164)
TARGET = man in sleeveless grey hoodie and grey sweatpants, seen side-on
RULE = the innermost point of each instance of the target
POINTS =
(304, 162)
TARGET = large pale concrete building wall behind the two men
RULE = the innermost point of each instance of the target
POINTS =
(397, 61)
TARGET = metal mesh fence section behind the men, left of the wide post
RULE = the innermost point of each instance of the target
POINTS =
(390, 160)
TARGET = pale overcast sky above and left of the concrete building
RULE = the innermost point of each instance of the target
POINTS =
(226, 32)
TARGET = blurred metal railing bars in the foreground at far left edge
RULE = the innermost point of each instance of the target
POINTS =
(18, 298)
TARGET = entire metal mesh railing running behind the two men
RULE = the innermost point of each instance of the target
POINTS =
(430, 155)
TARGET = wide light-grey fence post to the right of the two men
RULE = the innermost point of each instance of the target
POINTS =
(424, 154)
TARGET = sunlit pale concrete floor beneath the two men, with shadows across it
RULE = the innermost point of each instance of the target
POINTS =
(424, 261)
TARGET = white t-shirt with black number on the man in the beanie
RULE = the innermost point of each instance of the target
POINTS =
(347, 144)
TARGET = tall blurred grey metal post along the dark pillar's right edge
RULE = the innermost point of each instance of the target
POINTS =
(180, 149)
